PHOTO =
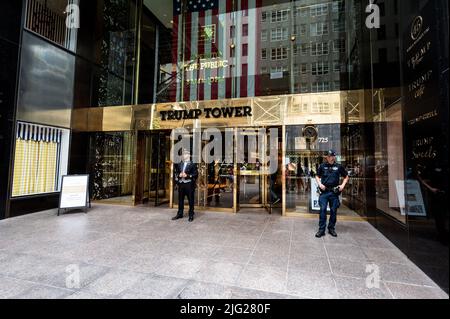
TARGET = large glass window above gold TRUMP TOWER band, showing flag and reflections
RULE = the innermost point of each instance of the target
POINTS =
(218, 52)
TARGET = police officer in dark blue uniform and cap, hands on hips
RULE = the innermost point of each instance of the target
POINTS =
(328, 178)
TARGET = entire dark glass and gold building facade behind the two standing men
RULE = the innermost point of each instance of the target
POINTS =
(313, 75)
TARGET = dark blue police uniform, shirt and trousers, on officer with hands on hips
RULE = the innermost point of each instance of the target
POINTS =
(330, 175)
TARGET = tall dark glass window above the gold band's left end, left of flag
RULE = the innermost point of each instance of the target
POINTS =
(107, 59)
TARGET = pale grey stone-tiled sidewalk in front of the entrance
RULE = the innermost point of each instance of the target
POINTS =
(124, 252)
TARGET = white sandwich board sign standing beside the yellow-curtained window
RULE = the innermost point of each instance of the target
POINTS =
(74, 193)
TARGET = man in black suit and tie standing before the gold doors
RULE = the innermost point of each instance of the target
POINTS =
(186, 174)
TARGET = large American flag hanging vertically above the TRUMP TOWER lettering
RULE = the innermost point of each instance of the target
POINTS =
(206, 28)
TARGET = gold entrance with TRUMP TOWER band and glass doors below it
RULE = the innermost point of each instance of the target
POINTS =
(306, 125)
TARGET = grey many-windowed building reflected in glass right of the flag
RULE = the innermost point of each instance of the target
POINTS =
(303, 46)
